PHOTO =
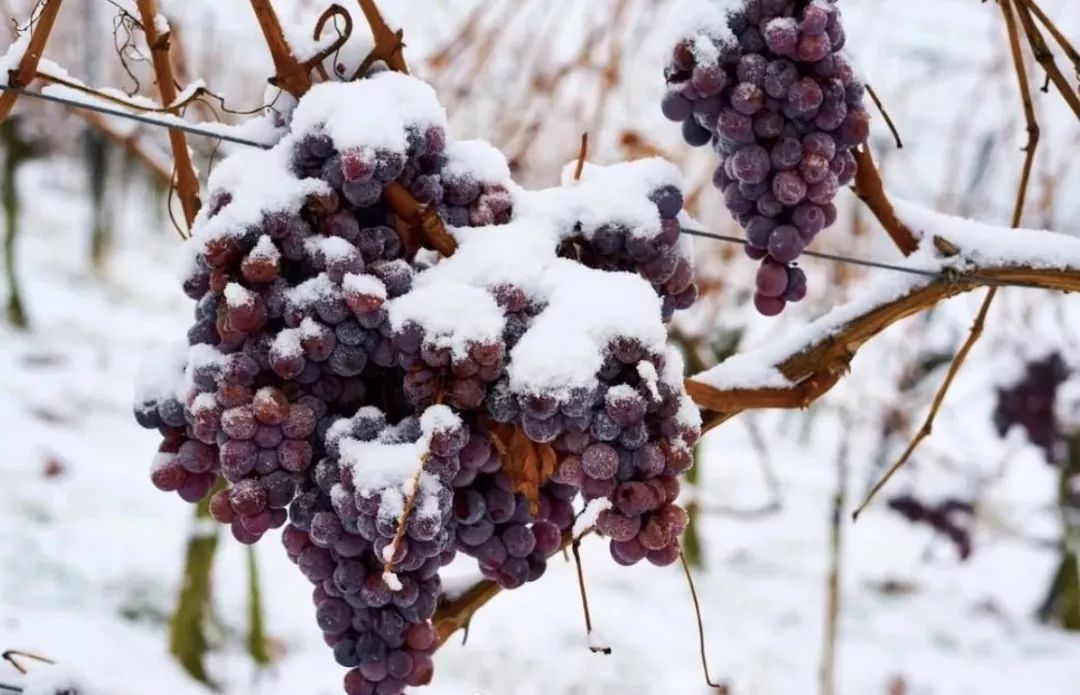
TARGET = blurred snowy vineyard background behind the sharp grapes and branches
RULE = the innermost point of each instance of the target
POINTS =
(962, 578)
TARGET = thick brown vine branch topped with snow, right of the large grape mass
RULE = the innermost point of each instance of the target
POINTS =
(955, 256)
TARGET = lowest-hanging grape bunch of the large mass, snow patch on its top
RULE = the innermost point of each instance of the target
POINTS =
(377, 581)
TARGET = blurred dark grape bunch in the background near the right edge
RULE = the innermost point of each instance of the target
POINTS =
(1031, 404)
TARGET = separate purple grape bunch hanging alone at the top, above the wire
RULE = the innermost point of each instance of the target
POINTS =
(781, 106)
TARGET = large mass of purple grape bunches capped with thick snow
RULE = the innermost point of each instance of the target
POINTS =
(393, 408)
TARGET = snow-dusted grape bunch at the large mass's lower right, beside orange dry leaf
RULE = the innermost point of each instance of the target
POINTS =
(625, 443)
